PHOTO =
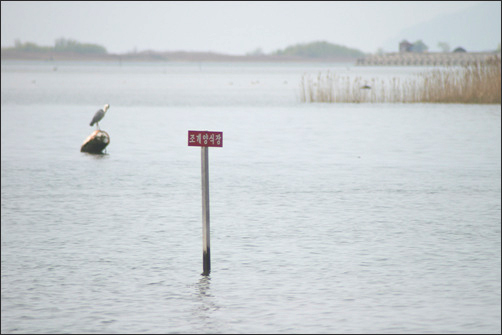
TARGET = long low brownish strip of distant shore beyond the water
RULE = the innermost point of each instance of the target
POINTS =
(180, 56)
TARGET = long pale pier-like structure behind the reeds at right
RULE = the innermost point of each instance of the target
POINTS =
(426, 58)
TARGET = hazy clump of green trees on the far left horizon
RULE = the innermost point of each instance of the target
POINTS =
(61, 45)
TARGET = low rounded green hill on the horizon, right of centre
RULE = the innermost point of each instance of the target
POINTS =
(319, 50)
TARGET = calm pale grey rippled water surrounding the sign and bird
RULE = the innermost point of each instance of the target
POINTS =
(325, 218)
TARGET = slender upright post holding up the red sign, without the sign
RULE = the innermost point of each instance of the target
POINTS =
(206, 250)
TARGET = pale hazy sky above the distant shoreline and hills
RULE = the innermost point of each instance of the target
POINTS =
(223, 27)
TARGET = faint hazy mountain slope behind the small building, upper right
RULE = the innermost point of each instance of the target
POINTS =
(475, 29)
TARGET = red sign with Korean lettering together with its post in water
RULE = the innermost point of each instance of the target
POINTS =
(205, 139)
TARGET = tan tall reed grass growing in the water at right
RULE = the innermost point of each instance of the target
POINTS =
(477, 83)
